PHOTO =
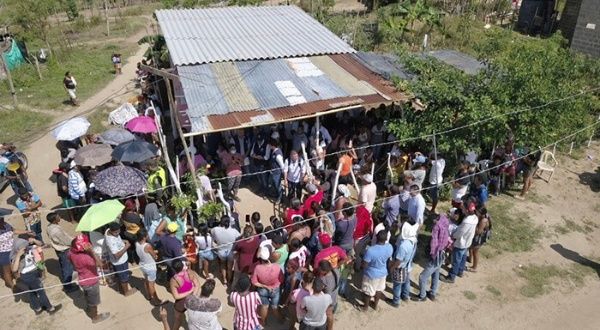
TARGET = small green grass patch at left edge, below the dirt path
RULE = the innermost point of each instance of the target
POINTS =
(17, 125)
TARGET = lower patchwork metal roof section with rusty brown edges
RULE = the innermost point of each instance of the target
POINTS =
(220, 96)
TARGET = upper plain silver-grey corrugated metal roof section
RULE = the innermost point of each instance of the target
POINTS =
(196, 36)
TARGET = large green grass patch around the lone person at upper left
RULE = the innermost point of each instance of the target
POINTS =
(90, 65)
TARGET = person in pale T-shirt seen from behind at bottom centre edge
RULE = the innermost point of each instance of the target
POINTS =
(318, 308)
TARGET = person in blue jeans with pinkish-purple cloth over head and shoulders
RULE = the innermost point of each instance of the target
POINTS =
(439, 241)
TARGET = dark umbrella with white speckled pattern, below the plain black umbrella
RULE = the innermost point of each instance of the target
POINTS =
(120, 181)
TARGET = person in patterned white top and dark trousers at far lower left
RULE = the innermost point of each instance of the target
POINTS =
(26, 264)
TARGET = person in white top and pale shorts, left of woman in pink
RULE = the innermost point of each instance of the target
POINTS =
(148, 257)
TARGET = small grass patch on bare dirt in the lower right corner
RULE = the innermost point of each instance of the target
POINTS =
(538, 279)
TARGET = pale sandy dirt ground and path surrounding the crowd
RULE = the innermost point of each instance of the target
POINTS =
(488, 299)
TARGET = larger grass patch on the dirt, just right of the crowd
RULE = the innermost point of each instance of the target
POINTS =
(512, 231)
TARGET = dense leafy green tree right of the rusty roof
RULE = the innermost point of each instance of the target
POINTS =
(522, 73)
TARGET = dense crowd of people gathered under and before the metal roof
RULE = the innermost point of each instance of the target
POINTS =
(350, 214)
